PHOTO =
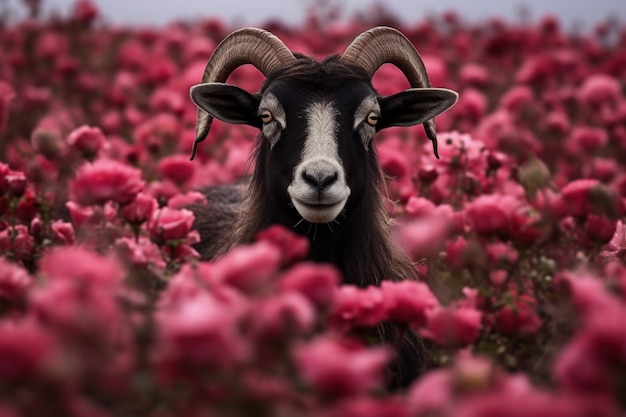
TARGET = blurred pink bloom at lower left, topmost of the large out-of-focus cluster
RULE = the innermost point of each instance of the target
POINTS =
(80, 265)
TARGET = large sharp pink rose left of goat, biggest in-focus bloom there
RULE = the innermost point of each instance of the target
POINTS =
(106, 180)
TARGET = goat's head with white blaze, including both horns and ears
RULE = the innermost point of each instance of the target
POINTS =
(318, 119)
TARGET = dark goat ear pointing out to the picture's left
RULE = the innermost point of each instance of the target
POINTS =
(226, 102)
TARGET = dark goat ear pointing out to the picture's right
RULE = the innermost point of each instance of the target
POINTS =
(414, 106)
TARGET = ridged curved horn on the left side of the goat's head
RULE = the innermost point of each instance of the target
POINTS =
(244, 46)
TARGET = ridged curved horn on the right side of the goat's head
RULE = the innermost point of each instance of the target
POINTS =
(381, 45)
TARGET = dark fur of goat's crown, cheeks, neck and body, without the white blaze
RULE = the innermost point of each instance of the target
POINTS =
(359, 242)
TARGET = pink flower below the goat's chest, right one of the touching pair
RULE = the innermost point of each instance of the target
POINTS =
(407, 301)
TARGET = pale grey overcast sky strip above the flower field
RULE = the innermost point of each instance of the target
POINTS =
(159, 12)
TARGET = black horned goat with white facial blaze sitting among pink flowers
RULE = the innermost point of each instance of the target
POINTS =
(315, 165)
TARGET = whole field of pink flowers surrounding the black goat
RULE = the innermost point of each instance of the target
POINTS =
(517, 231)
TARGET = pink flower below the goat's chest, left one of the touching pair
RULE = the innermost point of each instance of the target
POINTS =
(357, 307)
